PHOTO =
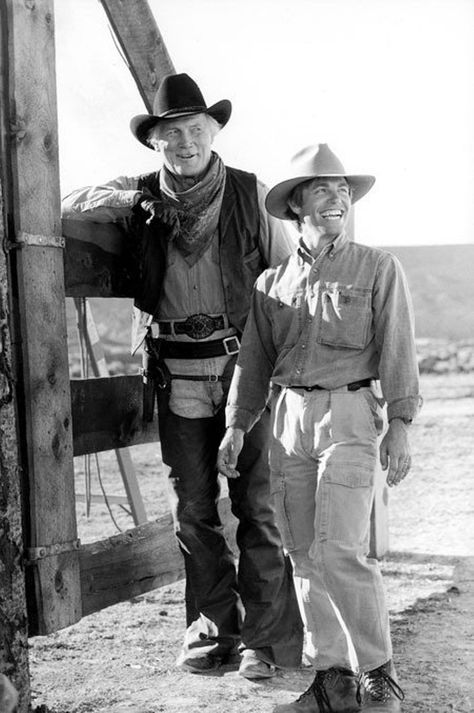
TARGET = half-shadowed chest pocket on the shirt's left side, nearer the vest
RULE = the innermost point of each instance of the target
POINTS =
(285, 313)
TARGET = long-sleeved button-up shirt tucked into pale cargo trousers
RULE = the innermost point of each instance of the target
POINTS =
(341, 317)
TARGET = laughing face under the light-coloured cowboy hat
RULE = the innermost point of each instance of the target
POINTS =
(325, 204)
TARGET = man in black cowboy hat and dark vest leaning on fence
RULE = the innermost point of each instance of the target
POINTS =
(204, 237)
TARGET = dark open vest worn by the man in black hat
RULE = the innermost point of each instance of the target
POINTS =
(241, 261)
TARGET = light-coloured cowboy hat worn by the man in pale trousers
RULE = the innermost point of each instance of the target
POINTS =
(313, 162)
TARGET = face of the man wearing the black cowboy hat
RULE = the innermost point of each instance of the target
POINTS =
(185, 144)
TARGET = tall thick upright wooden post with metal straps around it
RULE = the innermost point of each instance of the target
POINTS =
(53, 582)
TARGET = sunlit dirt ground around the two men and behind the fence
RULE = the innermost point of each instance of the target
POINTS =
(121, 660)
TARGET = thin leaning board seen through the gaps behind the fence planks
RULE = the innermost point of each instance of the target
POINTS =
(98, 363)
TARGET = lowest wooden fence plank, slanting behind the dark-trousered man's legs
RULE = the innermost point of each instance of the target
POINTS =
(137, 561)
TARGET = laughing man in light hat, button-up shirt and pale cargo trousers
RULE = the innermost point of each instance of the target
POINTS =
(323, 327)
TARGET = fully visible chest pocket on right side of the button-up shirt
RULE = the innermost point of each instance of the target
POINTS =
(346, 316)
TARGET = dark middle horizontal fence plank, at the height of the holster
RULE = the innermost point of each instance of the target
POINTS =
(107, 414)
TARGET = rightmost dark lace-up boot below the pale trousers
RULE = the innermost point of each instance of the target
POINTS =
(380, 690)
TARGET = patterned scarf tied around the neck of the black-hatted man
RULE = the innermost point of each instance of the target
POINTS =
(197, 207)
